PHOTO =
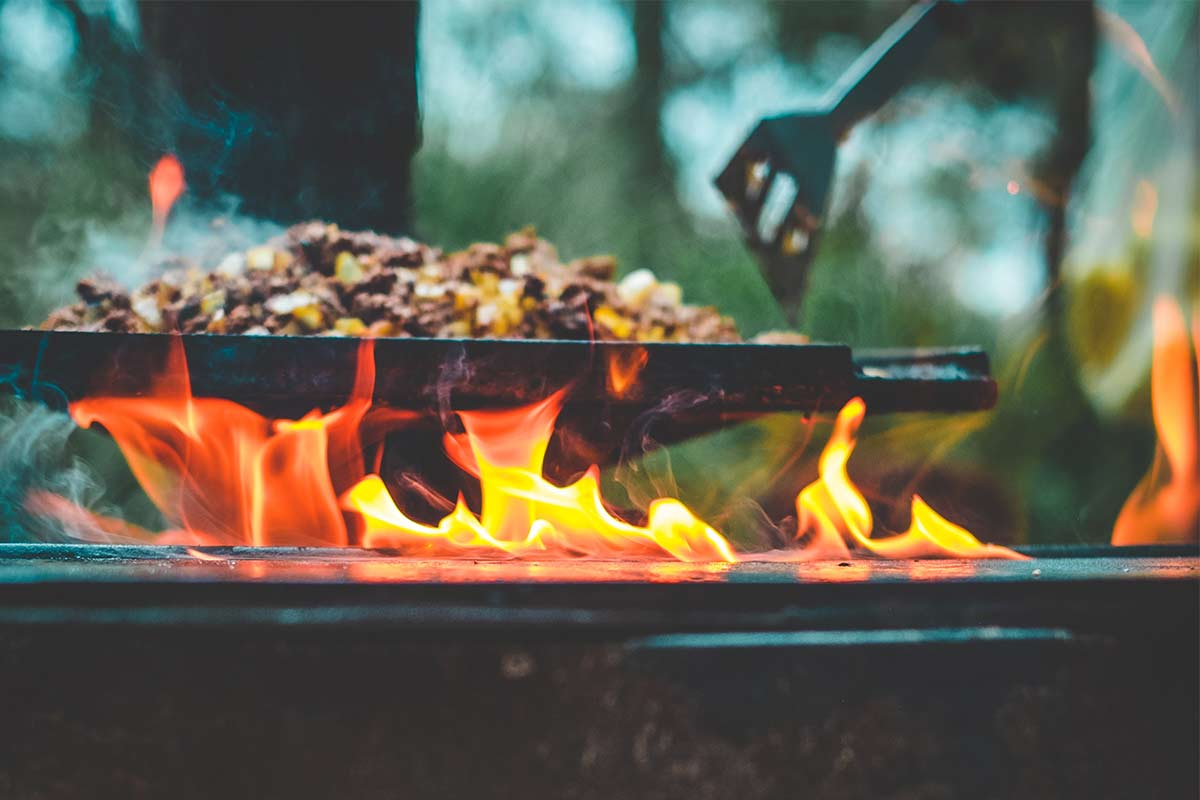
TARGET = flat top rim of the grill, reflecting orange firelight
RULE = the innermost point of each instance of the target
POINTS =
(316, 590)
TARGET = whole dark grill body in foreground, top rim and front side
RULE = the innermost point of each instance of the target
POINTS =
(155, 673)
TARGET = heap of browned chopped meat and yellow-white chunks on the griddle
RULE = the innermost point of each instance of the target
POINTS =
(320, 280)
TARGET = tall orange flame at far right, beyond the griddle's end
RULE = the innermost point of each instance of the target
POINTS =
(1160, 513)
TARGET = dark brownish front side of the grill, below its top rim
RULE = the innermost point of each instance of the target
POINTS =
(188, 713)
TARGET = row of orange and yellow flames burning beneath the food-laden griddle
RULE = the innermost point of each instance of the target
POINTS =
(223, 474)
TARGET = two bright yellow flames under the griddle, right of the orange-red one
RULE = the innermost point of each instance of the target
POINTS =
(524, 515)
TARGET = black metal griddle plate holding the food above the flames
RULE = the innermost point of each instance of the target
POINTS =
(293, 375)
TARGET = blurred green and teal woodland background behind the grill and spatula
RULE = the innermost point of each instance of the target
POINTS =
(1031, 191)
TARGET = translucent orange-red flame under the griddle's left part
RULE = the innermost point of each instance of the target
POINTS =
(223, 474)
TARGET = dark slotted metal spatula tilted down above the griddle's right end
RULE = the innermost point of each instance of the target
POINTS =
(778, 183)
